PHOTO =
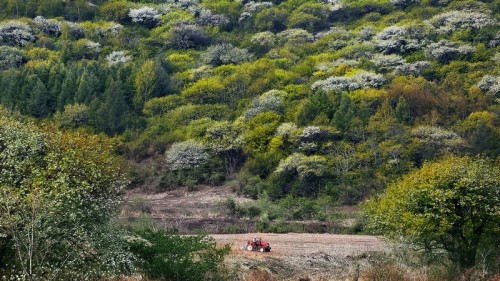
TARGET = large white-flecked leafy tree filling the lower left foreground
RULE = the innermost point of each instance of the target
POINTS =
(58, 192)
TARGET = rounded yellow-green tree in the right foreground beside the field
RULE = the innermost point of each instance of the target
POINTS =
(451, 204)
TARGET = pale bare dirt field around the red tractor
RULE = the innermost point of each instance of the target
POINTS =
(302, 256)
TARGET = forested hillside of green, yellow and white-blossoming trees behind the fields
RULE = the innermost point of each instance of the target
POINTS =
(321, 99)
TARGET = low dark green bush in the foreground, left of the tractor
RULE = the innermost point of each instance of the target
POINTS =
(170, 256)
